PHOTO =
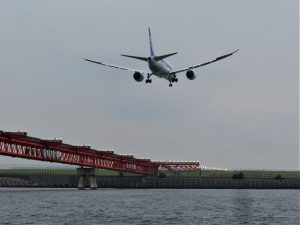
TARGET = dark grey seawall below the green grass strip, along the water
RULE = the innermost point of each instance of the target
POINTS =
(71, 181)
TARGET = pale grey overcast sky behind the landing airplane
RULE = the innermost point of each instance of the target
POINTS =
(241, 112)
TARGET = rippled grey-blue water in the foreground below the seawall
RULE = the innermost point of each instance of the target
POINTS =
(148, 206)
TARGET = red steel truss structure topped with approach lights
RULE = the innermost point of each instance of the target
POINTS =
(18, 144)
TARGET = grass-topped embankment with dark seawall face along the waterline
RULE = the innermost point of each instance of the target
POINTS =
(242, 179)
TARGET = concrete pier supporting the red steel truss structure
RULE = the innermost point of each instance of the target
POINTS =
(85, 173)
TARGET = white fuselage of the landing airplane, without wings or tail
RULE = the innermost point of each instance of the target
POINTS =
(160, 68)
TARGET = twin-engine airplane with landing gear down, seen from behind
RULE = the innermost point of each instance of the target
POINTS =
(159, 67)
